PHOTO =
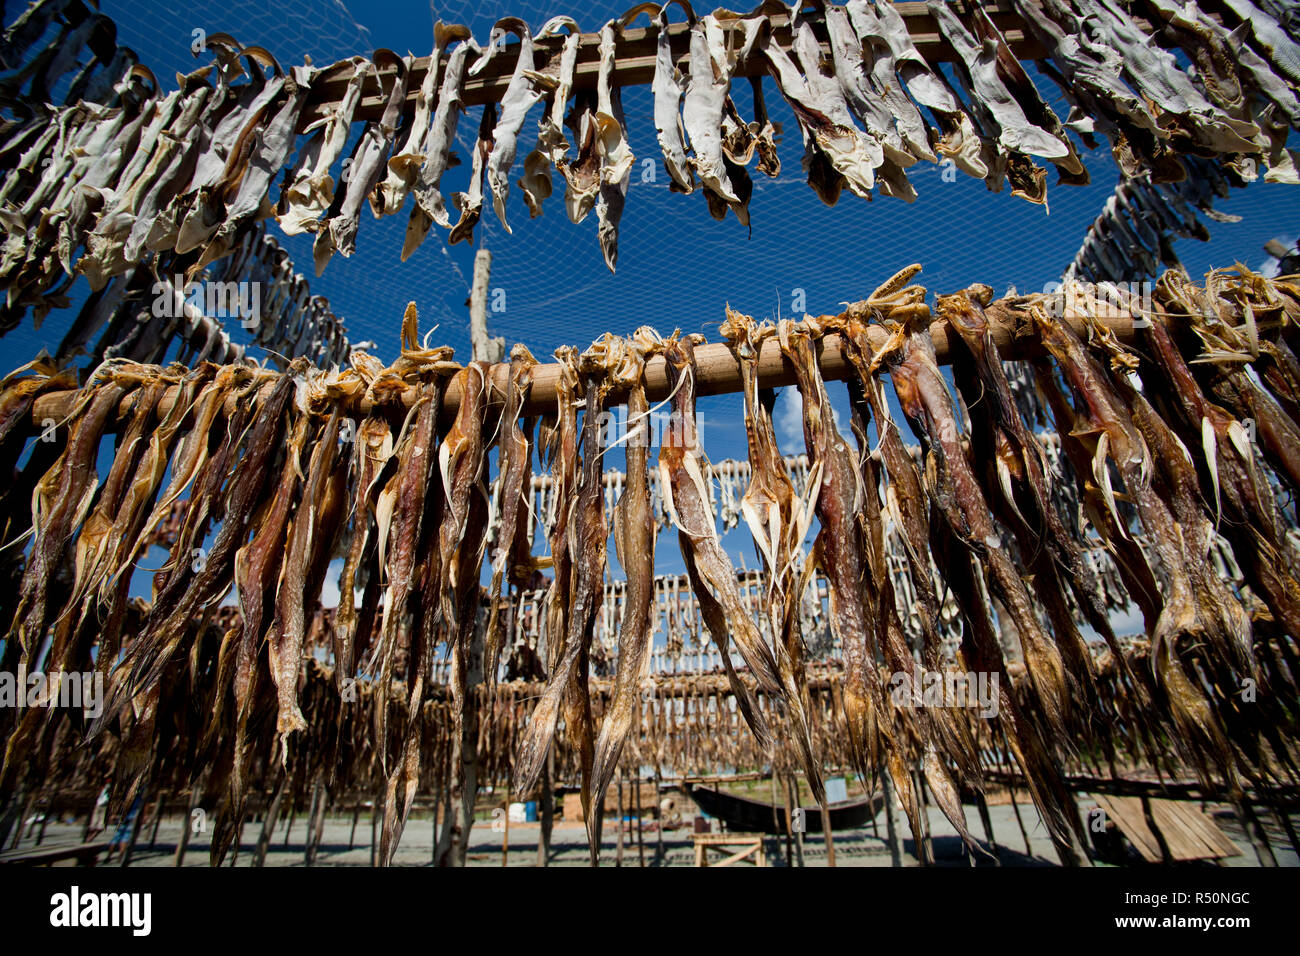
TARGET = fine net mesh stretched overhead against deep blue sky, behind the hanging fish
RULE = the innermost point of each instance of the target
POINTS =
(678, 267)
